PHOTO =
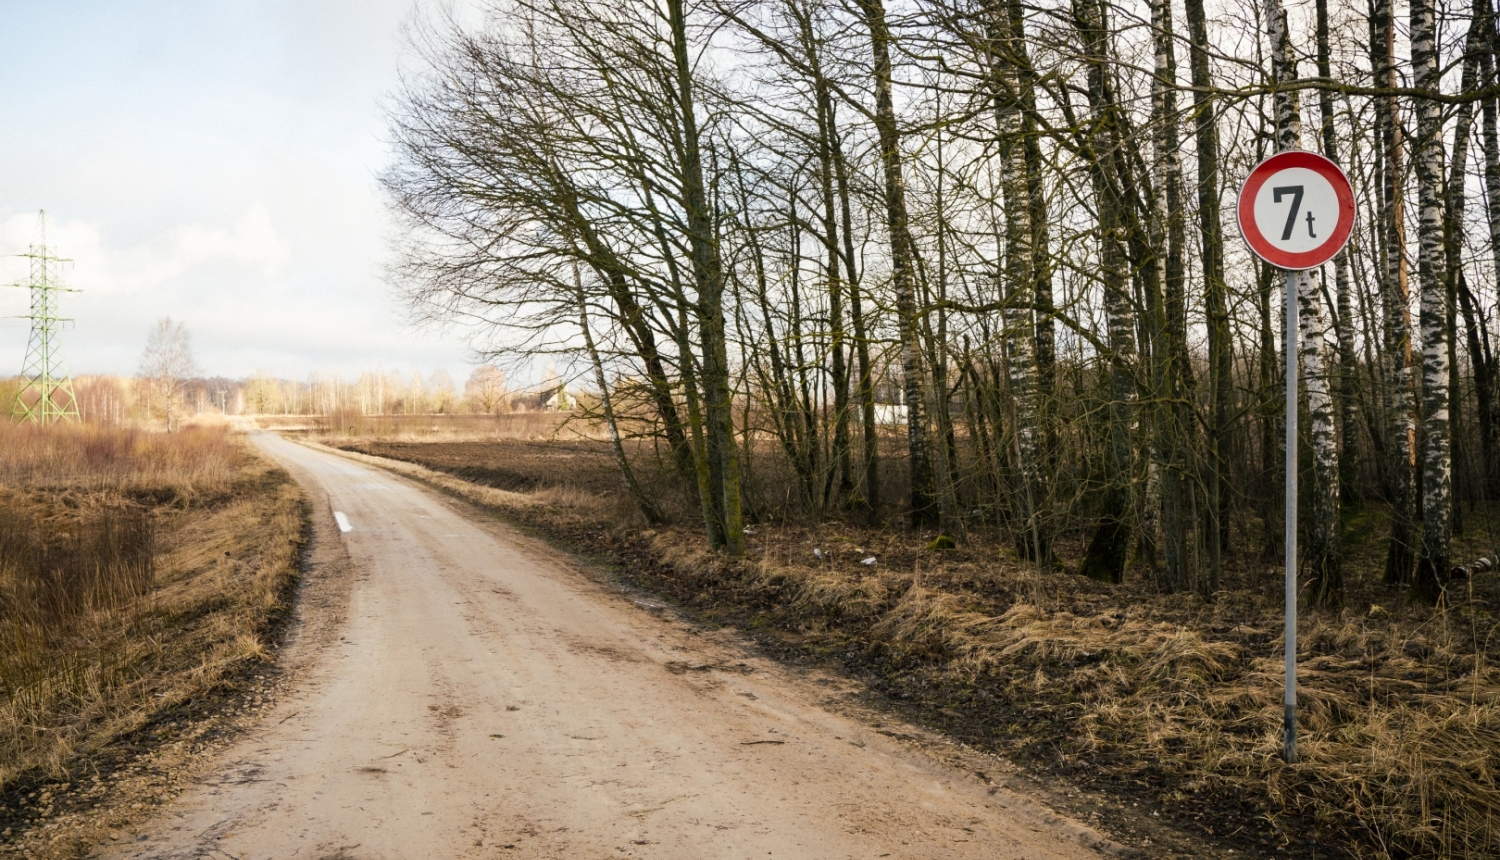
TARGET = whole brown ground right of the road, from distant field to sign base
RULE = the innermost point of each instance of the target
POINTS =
(1150, 708)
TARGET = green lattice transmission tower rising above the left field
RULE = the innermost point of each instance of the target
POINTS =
(47, 391)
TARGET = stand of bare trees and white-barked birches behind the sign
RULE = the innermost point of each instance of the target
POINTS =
(769, 230)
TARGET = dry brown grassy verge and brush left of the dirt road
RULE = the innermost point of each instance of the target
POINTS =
(143, 577)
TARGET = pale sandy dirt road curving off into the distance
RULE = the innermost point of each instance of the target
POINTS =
(481, 699)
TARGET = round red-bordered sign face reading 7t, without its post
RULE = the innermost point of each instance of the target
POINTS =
(1297, 209)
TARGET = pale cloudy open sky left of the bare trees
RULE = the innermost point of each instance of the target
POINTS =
(211, 161)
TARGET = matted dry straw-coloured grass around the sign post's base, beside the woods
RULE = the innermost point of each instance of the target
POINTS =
(1400, 715)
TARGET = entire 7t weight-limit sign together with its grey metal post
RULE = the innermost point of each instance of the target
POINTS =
(1297, 211)
